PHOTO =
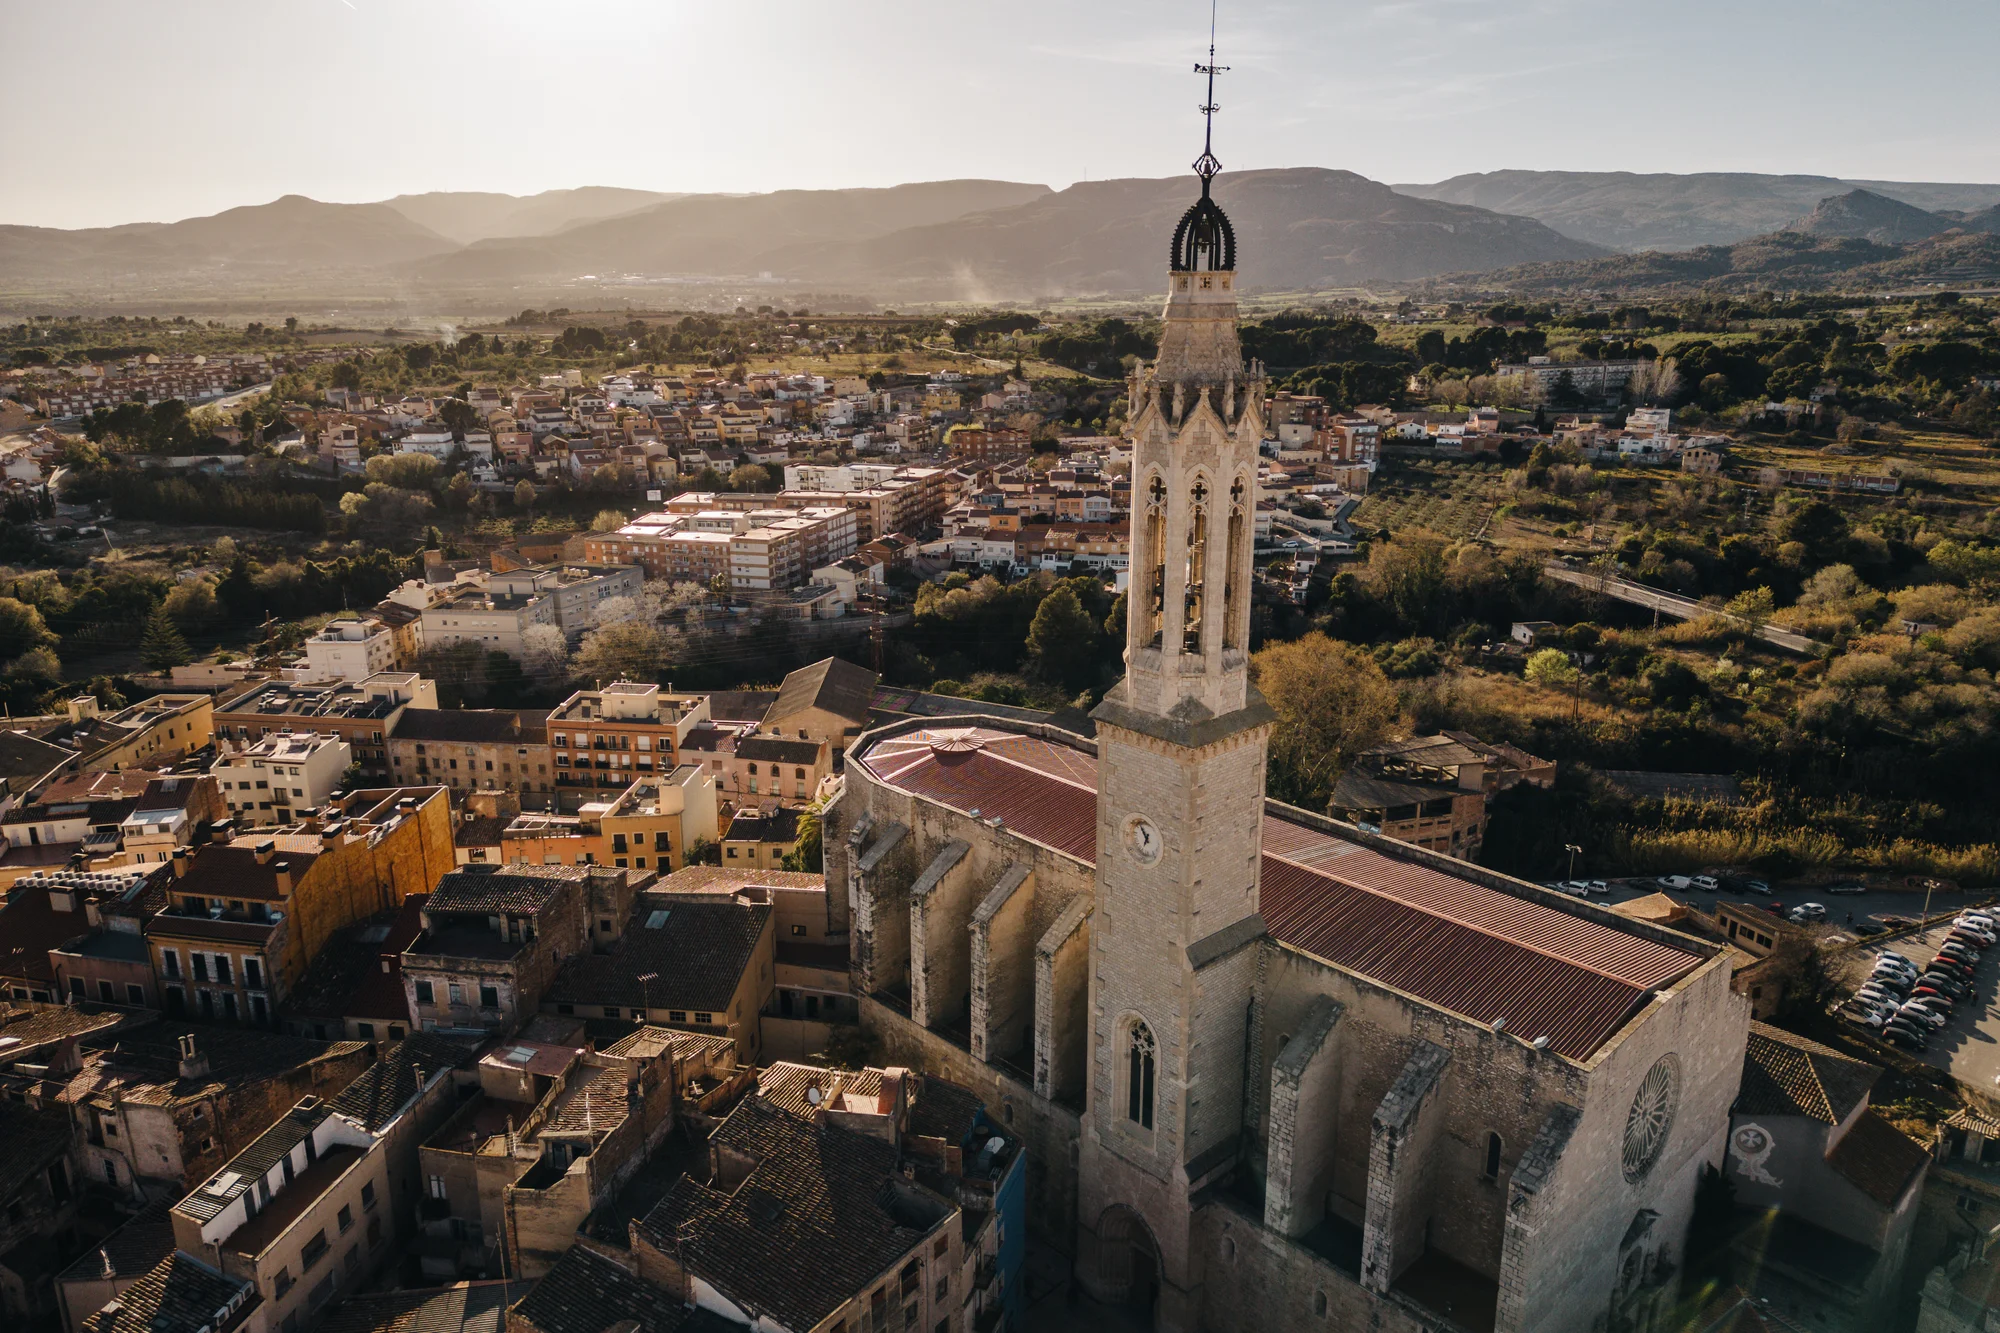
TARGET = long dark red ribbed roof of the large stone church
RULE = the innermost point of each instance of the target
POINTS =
(1479, 952)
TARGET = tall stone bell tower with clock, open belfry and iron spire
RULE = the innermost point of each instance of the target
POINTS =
(1181, 796)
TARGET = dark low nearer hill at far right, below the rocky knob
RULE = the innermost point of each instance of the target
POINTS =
(1775, 261)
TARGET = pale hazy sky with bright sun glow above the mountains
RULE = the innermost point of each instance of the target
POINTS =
(129, 111)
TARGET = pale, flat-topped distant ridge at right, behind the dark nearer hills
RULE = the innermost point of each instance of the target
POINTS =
(1629, 211)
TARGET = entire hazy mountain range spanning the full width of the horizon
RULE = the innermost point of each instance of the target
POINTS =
(991, 241)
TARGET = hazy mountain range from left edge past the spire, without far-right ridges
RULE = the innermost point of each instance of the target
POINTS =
(945, 239)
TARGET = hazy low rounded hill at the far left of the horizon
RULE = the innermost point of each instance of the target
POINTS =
(287, 237)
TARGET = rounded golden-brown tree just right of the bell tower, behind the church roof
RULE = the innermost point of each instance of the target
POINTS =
(1331, 702)
